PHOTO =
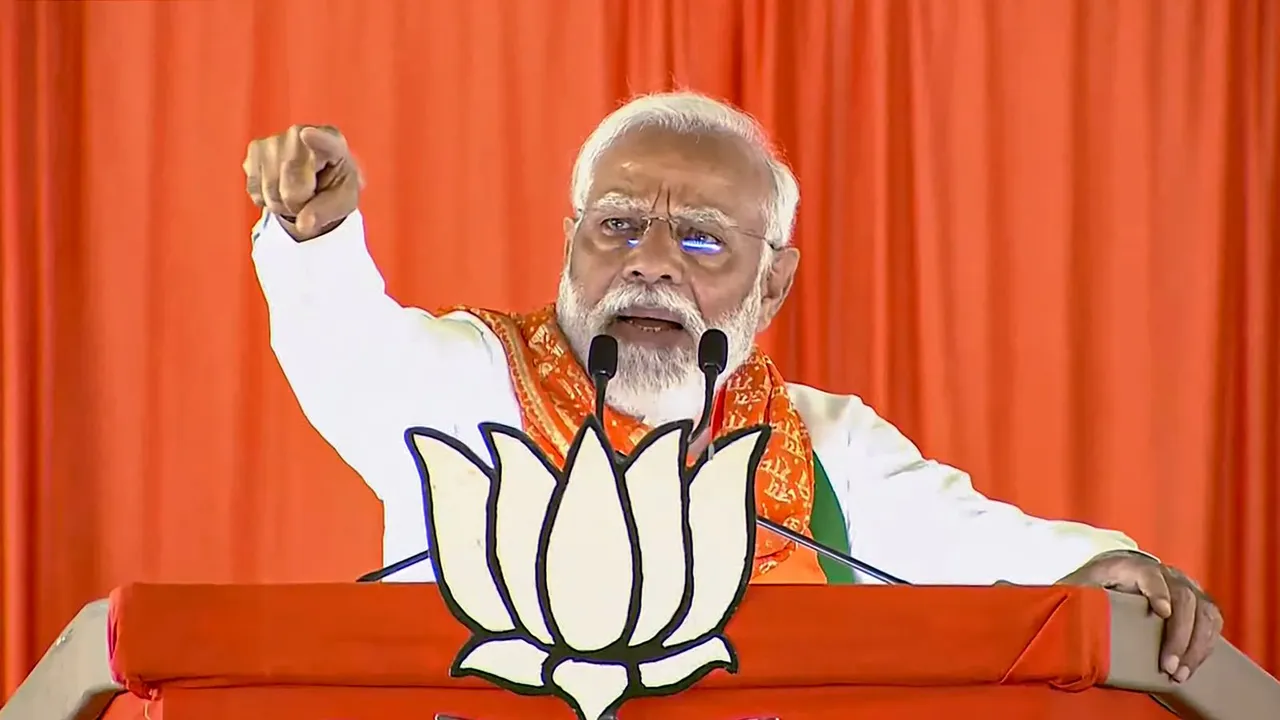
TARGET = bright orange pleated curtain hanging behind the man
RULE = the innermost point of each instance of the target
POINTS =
(1041, 238)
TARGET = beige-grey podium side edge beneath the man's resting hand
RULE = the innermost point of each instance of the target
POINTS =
(1229, 686)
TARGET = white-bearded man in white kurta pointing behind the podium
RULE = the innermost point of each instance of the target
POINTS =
(683, 220)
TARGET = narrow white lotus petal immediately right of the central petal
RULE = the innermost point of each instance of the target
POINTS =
(653, 484)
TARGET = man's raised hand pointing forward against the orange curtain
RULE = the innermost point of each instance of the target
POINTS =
(307, 177)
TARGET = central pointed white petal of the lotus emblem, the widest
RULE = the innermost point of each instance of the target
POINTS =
(589, 572)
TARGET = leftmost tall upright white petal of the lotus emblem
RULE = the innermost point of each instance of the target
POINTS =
(458, 490)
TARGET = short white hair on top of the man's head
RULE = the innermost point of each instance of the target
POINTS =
(694, 115)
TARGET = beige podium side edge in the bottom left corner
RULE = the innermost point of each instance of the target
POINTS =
(74, 680)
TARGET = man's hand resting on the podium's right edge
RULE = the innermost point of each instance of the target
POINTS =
(1192, 621)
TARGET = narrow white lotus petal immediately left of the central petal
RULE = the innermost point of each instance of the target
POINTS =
(525, 487)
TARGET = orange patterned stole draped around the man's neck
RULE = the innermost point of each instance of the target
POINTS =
(556, 397)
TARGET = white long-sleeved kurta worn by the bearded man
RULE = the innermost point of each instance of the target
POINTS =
(365, 370)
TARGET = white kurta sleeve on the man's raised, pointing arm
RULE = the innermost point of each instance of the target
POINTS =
(363, 367)
